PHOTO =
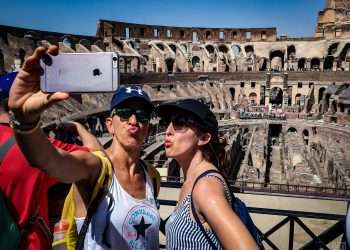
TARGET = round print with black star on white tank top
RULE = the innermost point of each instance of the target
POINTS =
(137, 226)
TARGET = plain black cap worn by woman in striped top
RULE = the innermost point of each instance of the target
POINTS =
(200, 111)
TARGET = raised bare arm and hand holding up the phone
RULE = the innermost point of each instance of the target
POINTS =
(27, 102)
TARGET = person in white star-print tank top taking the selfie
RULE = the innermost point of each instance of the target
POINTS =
(125, 216)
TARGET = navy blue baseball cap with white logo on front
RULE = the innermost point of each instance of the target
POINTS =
(131, 92)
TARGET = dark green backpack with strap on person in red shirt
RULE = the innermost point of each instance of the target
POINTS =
(10, 234)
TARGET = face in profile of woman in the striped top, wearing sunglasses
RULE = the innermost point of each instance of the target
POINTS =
(182, 137)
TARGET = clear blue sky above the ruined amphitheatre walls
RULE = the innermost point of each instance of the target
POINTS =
(295, 18)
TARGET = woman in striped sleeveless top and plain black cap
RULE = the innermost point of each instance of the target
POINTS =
(203, 218)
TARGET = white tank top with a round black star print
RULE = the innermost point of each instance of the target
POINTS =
(123, 222)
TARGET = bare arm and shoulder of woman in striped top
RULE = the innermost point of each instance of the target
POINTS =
(210, 202)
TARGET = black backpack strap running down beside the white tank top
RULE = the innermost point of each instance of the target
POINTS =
(91, 210)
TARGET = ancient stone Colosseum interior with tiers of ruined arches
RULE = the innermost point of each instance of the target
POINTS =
(283, 103)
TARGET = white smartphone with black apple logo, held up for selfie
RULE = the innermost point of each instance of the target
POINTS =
(80, 72)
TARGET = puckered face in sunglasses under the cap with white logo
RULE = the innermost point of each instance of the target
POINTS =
(128, 123)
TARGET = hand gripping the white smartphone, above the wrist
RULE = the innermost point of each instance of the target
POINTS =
(26, 100)
